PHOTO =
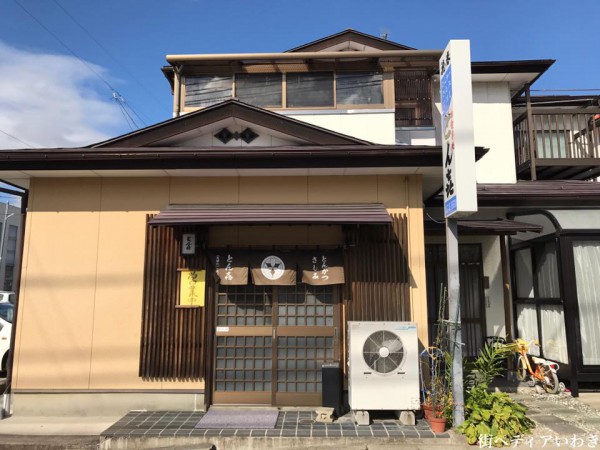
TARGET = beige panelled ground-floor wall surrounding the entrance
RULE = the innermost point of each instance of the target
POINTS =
(81, 294)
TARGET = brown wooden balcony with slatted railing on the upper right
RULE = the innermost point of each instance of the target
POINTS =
(558, 144)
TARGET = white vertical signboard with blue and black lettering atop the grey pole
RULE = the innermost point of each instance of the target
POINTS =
(460, 186)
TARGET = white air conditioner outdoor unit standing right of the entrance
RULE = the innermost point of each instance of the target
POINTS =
(383, 369)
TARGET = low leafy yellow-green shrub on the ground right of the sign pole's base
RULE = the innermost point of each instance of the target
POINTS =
(495, 416)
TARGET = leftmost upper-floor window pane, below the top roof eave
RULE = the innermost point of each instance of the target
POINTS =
(205, 90)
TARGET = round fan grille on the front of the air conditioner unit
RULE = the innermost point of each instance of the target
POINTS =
(383, 351)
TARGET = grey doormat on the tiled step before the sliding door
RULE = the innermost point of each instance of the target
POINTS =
(227, 419)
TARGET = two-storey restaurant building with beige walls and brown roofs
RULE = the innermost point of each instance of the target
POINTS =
(216, 257)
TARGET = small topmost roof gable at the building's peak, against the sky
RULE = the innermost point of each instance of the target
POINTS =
(349, 40)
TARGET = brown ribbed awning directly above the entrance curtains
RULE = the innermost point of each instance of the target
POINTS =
(363, 213)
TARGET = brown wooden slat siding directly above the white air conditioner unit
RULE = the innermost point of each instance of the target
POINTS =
(377, 274)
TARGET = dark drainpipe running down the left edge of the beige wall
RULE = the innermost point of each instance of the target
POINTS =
(7, 404)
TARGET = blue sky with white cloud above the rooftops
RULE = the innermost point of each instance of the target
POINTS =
(48, 98)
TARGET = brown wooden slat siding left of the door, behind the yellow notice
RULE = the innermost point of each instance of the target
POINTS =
(172, 338)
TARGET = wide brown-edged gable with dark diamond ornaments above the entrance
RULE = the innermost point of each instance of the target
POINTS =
(233, 124)
